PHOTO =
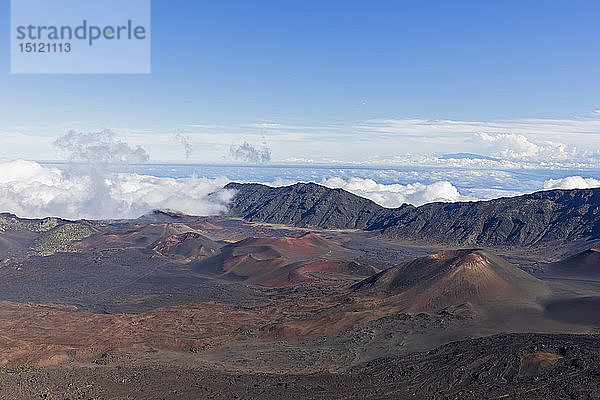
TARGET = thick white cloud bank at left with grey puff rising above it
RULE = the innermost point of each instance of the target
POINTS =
(85, 189)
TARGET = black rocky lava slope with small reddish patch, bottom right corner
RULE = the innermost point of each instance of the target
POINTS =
(512, 366)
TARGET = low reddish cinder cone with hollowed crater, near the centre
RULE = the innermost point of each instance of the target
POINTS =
(283, 261)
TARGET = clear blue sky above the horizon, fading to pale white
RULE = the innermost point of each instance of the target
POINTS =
(335, 81)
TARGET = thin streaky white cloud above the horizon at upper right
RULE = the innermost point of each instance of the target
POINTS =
(562, 142)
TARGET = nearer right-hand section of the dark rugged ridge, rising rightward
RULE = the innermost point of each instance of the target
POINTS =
(522, 221)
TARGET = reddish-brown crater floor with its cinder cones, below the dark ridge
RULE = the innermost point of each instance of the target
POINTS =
(160, 303)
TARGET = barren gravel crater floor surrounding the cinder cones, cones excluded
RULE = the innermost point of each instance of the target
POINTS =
(119, 320)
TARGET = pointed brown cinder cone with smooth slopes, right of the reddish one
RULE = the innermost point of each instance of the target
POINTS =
(455, 277)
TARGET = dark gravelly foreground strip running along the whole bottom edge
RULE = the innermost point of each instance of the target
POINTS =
(514, 366)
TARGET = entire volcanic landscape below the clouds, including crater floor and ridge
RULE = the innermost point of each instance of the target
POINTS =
(310, 292)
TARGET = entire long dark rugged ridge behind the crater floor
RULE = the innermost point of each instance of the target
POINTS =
(541, 217)
